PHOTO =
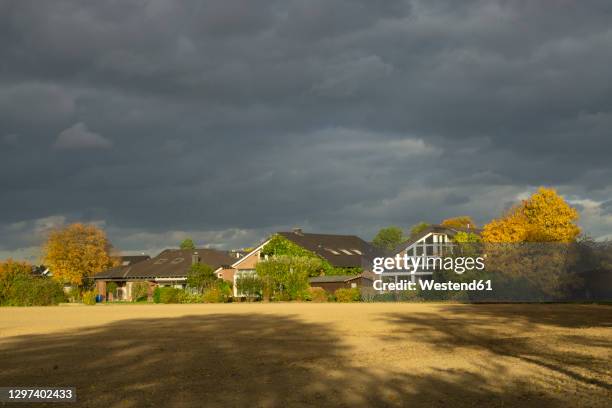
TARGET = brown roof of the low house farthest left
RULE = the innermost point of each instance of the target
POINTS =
(171, 263)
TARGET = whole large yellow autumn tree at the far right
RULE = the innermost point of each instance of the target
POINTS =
(535, 244)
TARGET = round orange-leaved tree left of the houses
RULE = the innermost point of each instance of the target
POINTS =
(76, 252)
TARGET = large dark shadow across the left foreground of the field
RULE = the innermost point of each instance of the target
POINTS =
(237, 361)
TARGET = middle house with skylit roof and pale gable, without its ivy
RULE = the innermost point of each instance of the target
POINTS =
(342, 251)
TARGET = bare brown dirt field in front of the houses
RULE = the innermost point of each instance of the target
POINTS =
(276, 355)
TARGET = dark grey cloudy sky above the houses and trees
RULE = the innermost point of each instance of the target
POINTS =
(226, 120)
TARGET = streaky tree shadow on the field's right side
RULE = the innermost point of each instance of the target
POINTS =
(494, 328)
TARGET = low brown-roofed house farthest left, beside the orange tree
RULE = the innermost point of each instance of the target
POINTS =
(169, 268)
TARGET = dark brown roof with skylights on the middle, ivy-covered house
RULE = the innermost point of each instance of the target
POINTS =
(344, 251)
